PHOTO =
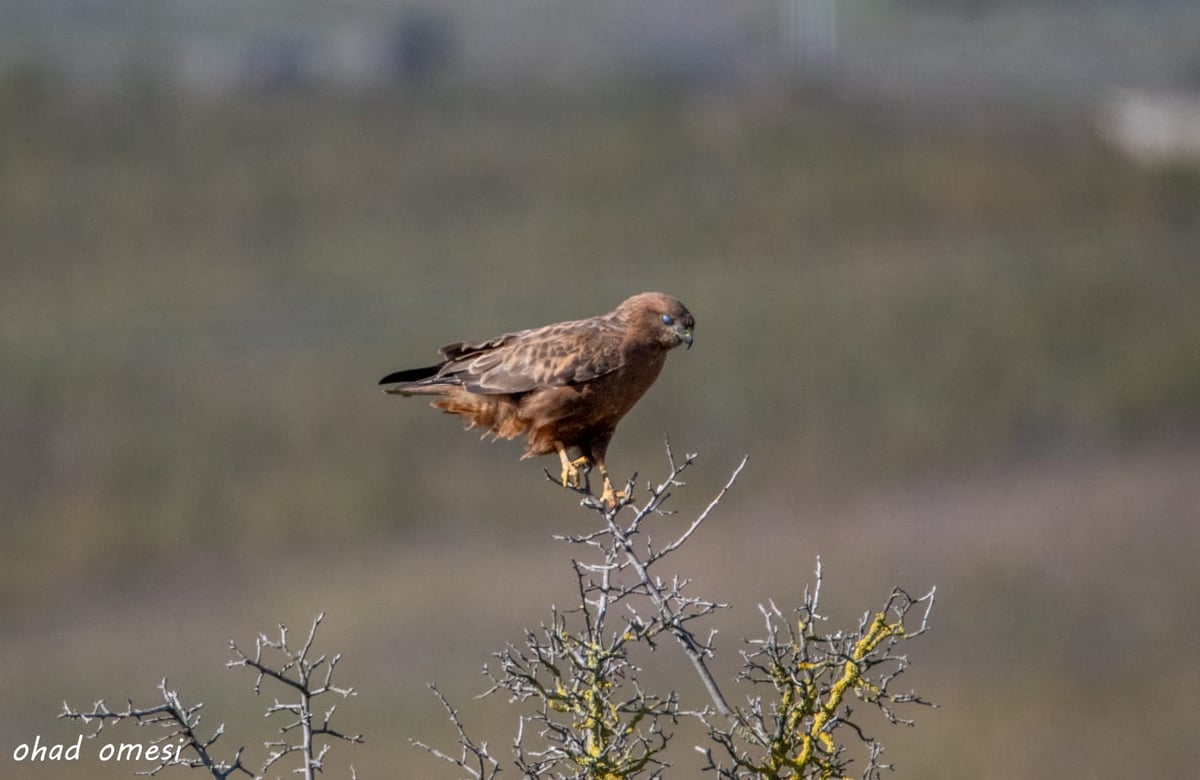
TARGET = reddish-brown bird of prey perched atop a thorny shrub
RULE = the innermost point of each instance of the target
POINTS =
(563, 387)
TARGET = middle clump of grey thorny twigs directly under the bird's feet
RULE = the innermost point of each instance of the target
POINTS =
(593, 716)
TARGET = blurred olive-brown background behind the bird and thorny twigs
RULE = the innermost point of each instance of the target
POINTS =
(944, 259)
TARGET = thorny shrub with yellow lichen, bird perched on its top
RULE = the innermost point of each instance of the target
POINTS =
(589, 713)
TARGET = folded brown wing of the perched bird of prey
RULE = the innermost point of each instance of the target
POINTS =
(555, 356)
